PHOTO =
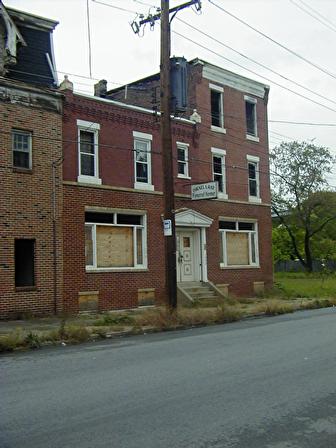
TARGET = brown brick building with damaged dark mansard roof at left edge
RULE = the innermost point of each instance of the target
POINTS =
(30, 151)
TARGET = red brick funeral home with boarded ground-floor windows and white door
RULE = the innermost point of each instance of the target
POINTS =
(113, 236)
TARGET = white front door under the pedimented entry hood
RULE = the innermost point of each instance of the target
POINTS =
(187, 256)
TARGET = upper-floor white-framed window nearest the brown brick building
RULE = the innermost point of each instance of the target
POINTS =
(88, 165)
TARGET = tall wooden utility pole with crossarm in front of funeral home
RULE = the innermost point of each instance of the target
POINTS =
(166, 139)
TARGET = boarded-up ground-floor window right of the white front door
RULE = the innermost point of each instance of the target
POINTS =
(239, 243)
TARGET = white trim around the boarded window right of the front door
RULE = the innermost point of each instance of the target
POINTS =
(223, 232)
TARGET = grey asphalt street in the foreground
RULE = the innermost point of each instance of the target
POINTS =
(261, 383)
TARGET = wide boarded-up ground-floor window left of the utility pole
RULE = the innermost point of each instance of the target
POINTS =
(115, 241)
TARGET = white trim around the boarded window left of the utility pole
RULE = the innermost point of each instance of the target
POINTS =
(137, 267)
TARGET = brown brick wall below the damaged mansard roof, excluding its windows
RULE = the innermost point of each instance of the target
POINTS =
(26, 209)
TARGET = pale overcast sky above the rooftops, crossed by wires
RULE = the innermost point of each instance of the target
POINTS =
(120, 56)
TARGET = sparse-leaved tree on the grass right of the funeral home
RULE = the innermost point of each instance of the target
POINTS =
(299, 197)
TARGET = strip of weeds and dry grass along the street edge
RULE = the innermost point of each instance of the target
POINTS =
(37, 332)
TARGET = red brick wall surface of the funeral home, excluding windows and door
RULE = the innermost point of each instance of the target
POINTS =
(116, 161)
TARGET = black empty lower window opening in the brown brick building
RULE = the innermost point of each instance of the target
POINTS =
(24, 263)
